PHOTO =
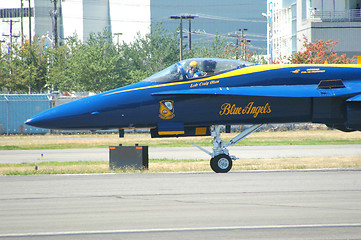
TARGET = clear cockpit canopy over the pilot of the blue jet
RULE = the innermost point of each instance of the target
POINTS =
(207, 67)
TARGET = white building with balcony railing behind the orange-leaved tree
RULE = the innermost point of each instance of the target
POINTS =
(290, 20)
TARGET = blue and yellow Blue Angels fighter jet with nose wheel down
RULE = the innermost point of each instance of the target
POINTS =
(195, 97)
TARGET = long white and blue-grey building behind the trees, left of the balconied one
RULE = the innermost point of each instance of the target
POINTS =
(126, 18)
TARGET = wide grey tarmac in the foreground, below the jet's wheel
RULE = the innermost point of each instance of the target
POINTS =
(238, 205)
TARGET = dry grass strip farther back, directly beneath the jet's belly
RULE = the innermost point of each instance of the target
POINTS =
(299, 137)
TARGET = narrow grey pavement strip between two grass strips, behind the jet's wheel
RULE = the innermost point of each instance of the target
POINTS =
(243, 152)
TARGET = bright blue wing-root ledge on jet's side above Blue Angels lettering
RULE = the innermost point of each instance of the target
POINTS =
(265, 91)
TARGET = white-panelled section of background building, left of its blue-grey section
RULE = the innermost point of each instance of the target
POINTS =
(124, 18)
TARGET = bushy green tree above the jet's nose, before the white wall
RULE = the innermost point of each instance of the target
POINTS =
(94, 65)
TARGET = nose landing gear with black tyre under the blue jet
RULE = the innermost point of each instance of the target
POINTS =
(221, 161)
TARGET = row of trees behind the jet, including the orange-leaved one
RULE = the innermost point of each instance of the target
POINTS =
(98, 65)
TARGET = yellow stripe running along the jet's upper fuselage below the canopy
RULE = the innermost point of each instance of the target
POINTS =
(241, 71)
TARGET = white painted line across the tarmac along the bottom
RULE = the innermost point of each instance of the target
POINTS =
(160, 230)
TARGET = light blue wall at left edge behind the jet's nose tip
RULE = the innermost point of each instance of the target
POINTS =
(15, 109)
